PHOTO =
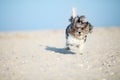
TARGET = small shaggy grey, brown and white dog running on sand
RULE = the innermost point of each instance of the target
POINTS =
(76, 32)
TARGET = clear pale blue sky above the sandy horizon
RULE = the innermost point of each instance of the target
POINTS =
(54, 14)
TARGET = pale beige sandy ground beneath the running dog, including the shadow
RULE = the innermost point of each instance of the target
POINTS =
(40, 55)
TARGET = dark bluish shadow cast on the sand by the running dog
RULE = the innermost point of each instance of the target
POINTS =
(59, 50)
